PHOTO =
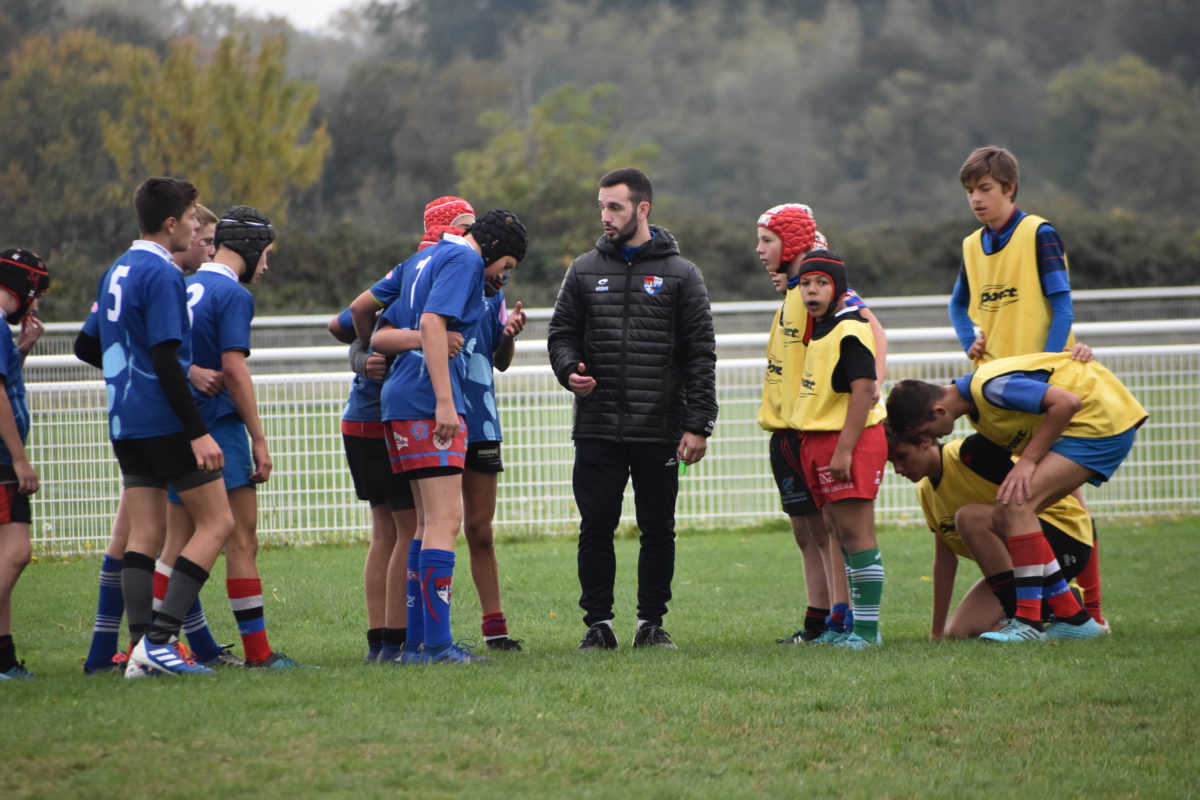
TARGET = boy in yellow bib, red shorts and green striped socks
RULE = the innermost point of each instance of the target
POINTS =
(844, 449)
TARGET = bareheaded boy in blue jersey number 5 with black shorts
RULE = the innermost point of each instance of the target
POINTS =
(139, 332)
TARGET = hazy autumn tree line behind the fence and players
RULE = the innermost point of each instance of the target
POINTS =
(865, 111)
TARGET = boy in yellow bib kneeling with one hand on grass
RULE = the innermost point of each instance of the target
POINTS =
(957, 484)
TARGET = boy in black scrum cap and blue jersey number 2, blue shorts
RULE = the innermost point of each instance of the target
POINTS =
(221, 310)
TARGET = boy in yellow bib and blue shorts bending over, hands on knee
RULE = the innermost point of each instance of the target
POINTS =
(1070, 423)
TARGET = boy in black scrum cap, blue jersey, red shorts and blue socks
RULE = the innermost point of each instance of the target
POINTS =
(423, 404)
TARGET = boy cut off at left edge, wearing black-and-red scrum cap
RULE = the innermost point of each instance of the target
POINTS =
(23, 280)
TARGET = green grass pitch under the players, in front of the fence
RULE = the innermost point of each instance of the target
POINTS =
(730, 714)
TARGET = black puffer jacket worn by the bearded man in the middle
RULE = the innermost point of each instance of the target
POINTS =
(645, 332)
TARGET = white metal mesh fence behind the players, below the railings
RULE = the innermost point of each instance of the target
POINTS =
(310, 496)
